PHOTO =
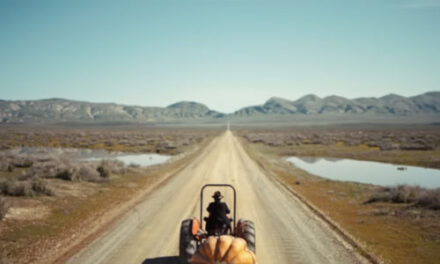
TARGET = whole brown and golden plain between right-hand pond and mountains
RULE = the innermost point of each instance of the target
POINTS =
(392, 146)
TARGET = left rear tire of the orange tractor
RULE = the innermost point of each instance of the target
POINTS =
(187, 243)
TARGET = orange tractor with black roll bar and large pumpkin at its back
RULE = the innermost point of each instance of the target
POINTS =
(222, 244)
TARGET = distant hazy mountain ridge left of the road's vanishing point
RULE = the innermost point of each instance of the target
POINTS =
(62, 110)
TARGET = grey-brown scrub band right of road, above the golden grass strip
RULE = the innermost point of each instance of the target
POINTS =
(383, 139)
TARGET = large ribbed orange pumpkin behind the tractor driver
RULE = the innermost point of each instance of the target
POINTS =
(224, 249)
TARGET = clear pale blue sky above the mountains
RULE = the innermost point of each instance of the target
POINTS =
(226, 54)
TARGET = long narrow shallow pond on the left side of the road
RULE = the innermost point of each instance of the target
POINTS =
(145, 159)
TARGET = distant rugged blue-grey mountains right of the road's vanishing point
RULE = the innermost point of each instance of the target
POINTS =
(392, 104)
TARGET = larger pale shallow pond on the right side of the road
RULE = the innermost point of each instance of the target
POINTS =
(371, 172)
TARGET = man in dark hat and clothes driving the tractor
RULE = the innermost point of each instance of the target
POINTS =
(218, 221)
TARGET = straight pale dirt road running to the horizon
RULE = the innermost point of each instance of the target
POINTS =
(287, 232)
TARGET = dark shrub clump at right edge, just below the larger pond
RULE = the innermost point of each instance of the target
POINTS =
(422, 197)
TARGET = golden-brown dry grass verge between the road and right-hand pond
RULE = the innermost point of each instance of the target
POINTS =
(382, 226)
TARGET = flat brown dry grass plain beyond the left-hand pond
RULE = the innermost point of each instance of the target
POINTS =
(130, 139)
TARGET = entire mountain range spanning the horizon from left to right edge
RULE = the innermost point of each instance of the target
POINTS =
(62, 110)
